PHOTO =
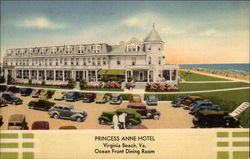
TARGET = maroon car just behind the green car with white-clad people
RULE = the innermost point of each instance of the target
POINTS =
(144, 111)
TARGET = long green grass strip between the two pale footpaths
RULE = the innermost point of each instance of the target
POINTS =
(209, 86)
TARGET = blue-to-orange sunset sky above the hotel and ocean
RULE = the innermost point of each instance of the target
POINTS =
(194, 32)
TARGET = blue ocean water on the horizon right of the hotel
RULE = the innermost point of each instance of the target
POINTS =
(243, 68)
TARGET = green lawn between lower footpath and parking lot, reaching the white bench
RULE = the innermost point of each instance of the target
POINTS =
(227, 100)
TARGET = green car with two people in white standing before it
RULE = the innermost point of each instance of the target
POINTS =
(132, 118)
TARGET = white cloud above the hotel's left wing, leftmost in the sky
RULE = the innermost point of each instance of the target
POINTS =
(41, 23)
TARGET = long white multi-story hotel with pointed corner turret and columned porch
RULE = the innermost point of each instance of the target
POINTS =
(142, 61)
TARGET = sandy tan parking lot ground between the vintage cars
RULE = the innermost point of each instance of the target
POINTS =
(170, 117)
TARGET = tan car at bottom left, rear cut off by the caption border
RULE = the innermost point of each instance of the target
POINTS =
(17, 122)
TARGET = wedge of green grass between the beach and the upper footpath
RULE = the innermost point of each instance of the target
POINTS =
(199, 77)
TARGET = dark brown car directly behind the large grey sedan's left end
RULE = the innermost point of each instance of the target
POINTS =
(41, 104)
